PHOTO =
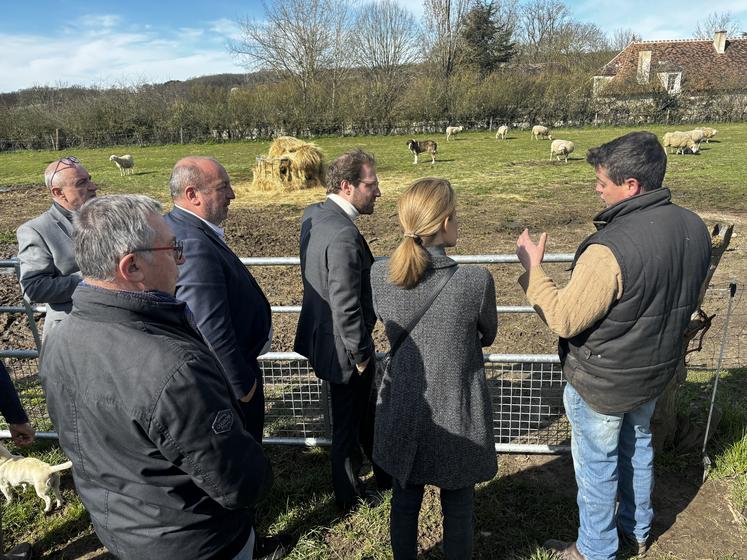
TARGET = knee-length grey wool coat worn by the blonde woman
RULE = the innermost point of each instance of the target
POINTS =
(434, 420)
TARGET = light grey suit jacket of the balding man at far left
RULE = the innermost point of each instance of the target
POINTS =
(49, 273)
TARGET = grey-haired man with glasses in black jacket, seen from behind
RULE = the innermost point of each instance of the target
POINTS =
(165, 470)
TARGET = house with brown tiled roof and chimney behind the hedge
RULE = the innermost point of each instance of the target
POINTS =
(691, 65)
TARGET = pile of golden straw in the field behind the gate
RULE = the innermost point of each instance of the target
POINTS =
(291, 164)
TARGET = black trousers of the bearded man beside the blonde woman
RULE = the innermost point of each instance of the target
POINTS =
(352, 428)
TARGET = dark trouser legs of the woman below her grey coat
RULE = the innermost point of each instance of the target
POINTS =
(458, 508)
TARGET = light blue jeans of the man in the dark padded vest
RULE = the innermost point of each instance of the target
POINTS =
(613, 458)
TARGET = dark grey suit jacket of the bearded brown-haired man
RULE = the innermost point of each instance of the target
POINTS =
(337, 316)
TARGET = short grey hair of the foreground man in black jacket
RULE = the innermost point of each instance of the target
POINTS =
(108, 227)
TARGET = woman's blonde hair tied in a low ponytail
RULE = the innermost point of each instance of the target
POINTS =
(422, 209)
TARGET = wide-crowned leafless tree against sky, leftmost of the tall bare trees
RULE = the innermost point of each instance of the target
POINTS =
(298, 39)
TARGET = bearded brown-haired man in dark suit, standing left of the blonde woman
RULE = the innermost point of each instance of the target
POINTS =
(337, 316)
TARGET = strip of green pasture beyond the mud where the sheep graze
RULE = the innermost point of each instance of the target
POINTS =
(517, 171)
